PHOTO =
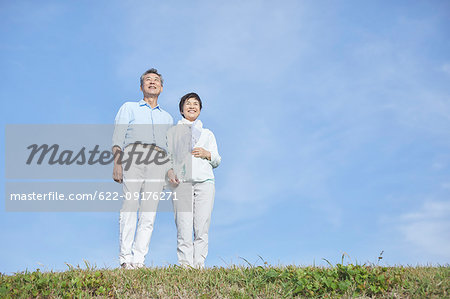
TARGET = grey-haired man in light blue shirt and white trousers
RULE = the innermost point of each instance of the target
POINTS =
(139, 142)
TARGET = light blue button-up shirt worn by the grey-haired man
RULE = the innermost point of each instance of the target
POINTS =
(137, 122)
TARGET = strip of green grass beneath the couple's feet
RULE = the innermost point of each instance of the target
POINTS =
(233, 282)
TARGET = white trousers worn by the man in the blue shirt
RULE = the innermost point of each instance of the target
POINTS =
(140, 184)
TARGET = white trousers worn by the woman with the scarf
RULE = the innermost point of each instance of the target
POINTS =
(193, 214)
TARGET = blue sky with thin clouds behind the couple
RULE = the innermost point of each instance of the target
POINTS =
(332, 119)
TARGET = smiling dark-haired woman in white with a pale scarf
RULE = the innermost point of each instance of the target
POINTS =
(194, 154)
